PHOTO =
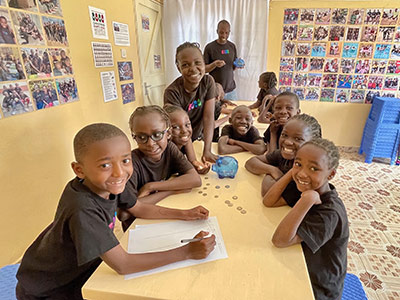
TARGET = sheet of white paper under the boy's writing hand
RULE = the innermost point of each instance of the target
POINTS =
(165, 236)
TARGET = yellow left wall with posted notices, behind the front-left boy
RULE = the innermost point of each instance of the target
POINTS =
(36, 147)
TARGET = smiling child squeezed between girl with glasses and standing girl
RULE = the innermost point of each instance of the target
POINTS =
(181, 135)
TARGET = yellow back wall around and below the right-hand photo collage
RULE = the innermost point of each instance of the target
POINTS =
(343, 123)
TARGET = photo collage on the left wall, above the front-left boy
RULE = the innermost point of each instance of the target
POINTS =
(35, 64)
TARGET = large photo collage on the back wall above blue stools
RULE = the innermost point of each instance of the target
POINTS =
(341, 54)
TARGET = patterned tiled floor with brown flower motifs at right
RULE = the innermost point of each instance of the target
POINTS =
(371, 193)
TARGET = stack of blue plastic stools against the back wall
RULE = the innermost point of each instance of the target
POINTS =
(381, 135)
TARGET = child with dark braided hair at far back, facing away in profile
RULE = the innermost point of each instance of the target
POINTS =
(267, 84)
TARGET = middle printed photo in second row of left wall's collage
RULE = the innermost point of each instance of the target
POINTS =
(27, 28)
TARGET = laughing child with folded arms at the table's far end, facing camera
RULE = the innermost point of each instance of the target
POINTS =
(240, 135)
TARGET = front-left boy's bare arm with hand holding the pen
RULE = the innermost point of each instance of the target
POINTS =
(124, 263)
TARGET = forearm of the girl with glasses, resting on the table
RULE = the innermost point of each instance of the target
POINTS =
(183, 182)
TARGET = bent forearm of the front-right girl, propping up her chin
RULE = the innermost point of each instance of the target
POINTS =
(286, 233)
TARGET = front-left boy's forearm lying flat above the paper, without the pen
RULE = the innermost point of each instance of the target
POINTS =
(151, 211)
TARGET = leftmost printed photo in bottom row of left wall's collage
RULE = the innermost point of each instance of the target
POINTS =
(15, 98)
